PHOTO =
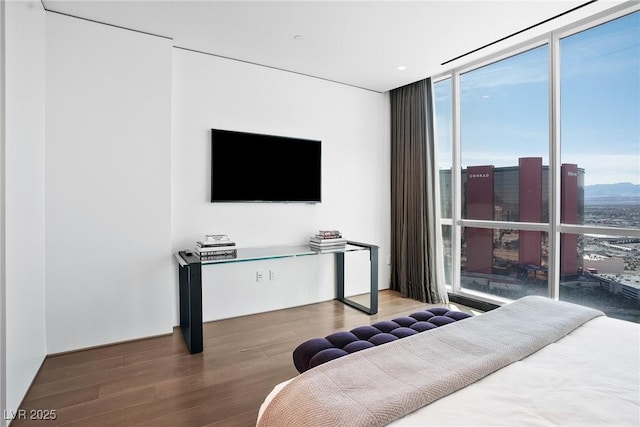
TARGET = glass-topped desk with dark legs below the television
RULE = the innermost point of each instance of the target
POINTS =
(190, 280)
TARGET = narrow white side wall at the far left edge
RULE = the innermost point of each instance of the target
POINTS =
(24, 193)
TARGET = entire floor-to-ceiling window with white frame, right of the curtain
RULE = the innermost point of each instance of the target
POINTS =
(539, 169)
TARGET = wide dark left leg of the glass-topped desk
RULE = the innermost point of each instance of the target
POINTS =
(190, 281)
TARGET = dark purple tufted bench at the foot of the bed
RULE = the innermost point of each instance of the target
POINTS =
(316, 351)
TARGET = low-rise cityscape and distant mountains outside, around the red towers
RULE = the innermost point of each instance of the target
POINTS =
(607, 272)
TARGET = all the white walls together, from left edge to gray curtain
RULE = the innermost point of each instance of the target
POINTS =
(90, 250)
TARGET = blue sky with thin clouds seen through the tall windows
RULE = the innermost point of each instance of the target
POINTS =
(505, 108)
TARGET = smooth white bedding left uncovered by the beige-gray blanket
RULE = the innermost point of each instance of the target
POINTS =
(591, 377)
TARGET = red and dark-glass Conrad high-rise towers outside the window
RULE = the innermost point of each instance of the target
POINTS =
(520, 194)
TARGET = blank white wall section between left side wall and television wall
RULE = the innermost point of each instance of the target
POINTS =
(108, 194)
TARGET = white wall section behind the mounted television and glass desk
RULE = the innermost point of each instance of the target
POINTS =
(353, 125)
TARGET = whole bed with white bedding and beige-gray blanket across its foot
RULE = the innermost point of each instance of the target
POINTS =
(531, 362)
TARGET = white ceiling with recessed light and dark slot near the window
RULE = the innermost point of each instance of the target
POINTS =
(359, 43)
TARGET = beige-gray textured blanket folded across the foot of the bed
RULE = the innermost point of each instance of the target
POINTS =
(376, 386)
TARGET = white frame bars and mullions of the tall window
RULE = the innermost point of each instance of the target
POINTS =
(554, 227)
